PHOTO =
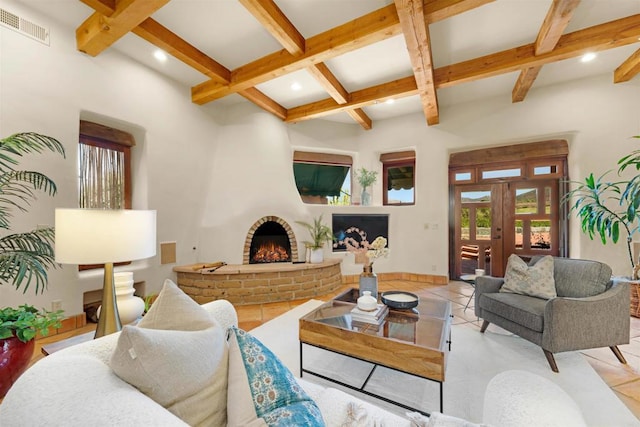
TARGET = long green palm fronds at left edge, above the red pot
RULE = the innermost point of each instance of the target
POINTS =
(25, 257)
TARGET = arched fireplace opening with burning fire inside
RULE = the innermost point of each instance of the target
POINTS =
(270, 243)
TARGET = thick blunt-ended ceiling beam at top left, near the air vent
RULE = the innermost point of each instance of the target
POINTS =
(99, 32)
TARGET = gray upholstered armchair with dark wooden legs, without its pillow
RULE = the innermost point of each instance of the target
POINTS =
(590, 310)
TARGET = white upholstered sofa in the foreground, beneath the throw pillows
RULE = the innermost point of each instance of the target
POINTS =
(76, 386)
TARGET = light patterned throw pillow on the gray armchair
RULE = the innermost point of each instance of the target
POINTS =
(535, 281)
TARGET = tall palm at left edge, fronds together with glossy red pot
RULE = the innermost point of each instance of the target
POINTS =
(24, 257)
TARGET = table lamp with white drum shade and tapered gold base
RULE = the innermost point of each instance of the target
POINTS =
(93, 236)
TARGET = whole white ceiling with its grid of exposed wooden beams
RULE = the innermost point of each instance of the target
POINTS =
(349, 57)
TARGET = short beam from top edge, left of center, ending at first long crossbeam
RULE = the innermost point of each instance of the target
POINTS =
(277, 24)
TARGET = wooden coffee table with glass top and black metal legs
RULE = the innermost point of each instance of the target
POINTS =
(415, 342)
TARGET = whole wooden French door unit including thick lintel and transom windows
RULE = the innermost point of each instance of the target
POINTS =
(509, 205)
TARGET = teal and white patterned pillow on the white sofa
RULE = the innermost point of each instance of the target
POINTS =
(261, 390)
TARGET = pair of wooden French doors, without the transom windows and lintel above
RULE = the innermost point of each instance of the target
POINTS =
(493, 221)
